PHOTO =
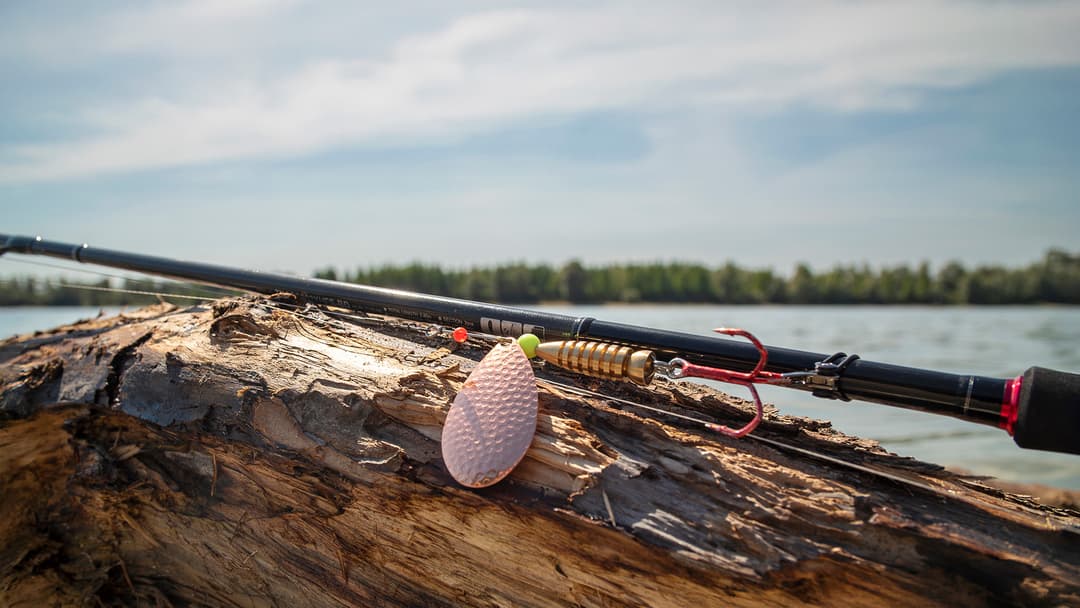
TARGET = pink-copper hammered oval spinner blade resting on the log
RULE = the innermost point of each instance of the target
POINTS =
(493, 420)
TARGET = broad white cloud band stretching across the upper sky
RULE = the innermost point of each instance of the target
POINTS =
(489, 69)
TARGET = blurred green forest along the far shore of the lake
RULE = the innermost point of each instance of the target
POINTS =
(1056, 279)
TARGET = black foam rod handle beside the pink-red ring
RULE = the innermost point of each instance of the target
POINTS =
(1049, 412)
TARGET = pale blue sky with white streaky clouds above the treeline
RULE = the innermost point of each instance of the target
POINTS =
(291, 136)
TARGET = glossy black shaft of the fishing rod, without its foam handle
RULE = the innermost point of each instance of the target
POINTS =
(977, 399)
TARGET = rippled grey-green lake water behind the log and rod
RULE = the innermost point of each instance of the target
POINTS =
(1001, 342)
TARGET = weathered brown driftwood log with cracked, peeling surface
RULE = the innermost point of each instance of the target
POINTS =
(239, 455)
